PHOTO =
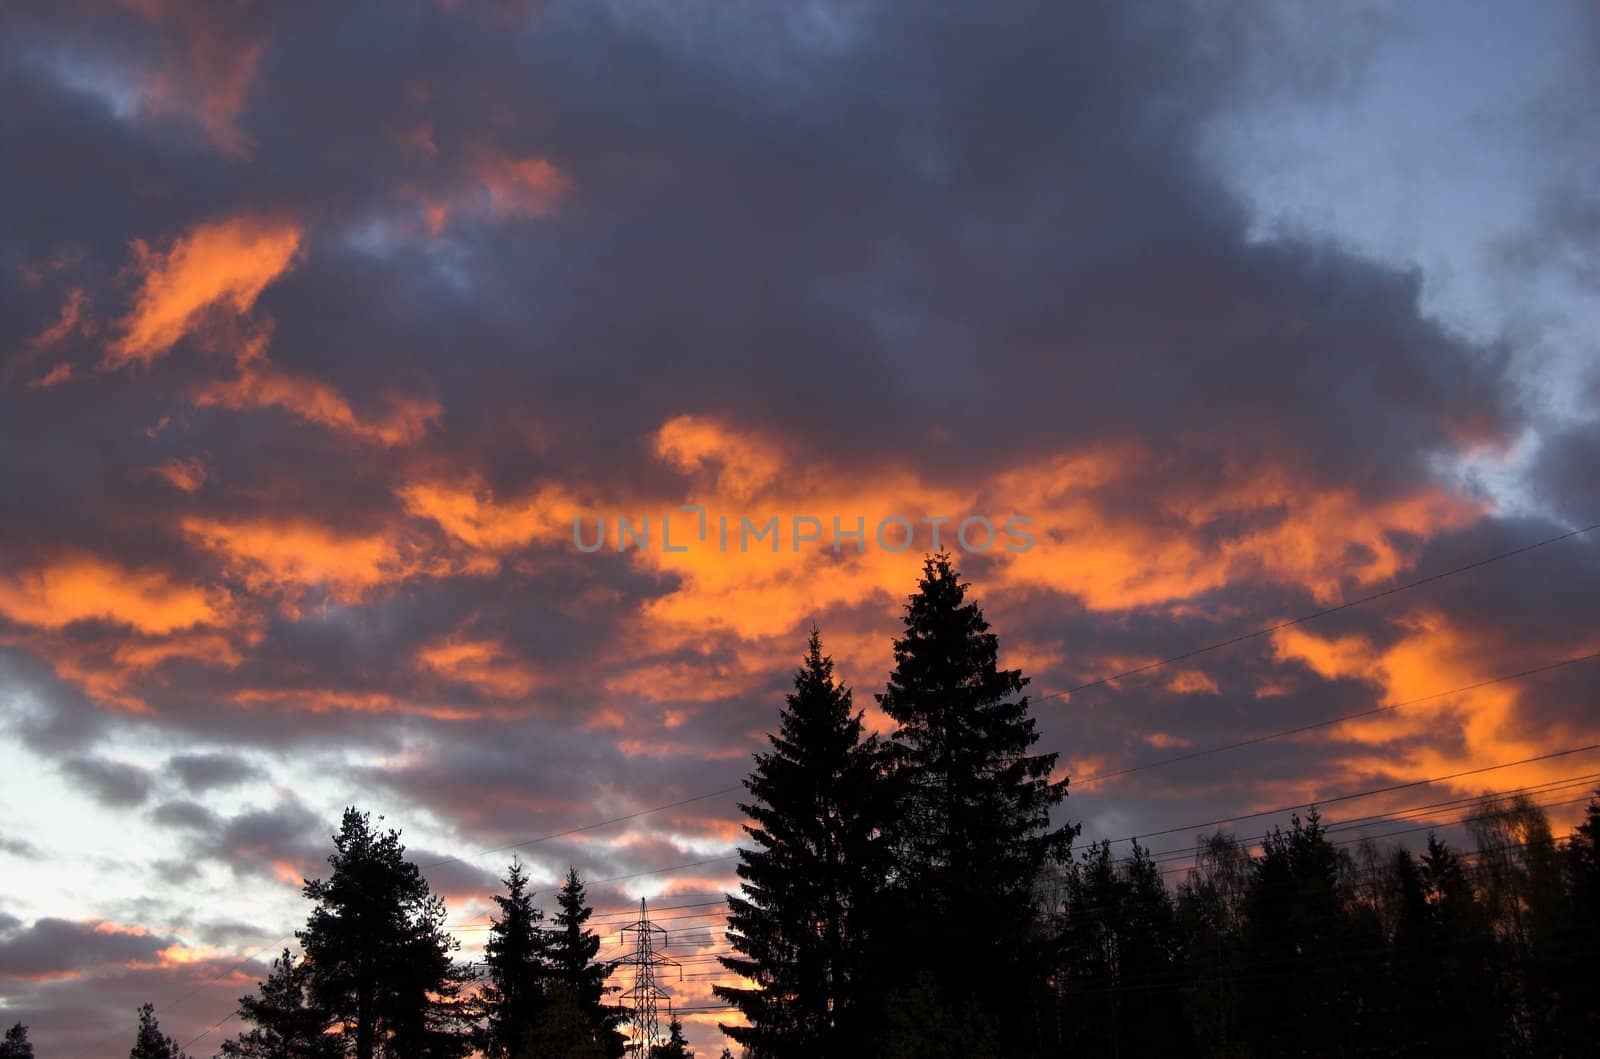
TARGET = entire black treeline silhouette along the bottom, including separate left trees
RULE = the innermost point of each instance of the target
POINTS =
(916, 897)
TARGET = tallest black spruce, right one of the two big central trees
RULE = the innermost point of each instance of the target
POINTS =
(974, 825)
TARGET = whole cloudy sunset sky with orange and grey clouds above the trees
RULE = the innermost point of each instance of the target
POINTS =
(319, 332)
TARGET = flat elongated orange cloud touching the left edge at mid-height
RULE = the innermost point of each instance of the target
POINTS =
(84, 588)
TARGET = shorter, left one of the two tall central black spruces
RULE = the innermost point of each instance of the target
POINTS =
(812, 876)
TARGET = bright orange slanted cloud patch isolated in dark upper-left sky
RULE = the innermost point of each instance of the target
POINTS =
(218, 266)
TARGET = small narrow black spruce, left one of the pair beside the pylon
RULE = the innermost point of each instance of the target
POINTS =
(516, 972)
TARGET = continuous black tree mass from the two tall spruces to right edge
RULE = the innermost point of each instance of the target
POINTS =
(913, 897)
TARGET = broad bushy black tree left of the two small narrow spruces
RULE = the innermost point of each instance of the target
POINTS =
(380, 956)
